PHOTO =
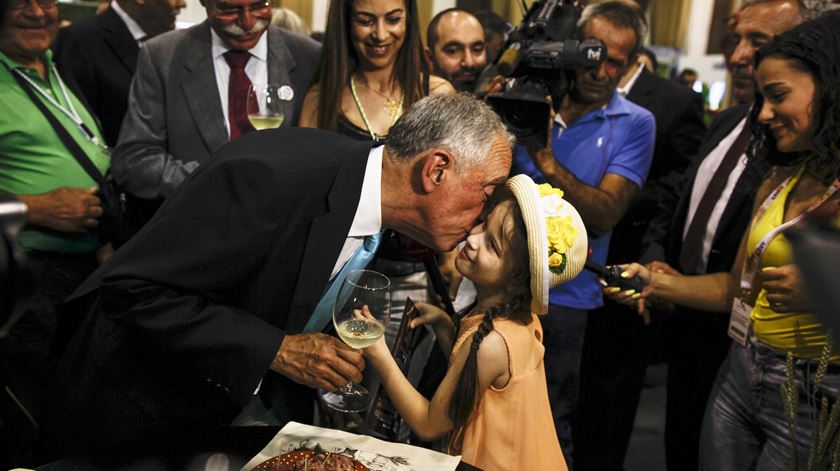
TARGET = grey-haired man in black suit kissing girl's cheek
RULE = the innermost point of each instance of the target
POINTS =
(214, 298)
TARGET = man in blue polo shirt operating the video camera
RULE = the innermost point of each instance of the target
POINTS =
(599, 155)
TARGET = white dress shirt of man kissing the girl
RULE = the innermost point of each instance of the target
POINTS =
(368, 218)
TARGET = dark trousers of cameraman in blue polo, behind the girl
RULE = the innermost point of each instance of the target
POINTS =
(563, 330)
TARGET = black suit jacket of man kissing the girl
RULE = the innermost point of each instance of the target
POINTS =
(183, 322)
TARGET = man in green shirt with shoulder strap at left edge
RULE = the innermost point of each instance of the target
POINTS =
(61, 198)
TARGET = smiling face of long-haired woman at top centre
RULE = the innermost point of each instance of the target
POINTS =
(378, 29)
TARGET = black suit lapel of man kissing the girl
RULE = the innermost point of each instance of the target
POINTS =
(326, 237)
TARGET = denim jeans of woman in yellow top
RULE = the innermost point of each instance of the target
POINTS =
(745, 427)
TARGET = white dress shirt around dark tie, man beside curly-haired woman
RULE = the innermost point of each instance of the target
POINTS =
(701, 183)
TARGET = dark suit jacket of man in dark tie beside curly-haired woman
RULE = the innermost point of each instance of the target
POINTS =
(663, 240)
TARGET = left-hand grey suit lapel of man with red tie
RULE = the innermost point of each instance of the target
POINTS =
(200, 89)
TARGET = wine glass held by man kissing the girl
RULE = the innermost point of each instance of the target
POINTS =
(361, 312)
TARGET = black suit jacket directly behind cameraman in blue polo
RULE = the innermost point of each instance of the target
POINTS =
(679, 131)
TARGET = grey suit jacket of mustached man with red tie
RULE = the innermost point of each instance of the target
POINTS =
(175, 119)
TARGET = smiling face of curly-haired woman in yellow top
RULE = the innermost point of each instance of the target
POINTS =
(788, 103)
